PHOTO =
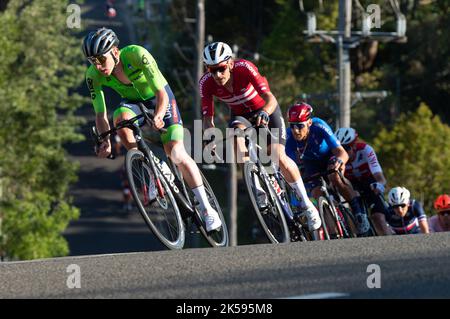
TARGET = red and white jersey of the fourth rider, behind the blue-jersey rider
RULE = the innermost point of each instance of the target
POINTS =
(364, 164)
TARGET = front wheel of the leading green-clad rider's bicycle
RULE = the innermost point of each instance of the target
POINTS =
(163, 218)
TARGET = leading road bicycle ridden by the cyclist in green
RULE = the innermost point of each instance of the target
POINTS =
(174, 207)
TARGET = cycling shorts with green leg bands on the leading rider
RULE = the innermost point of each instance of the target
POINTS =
(172, 118)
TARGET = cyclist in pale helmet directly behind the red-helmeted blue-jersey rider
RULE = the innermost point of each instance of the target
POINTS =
(365, 173)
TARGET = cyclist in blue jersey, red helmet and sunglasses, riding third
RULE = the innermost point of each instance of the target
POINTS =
(313, 146)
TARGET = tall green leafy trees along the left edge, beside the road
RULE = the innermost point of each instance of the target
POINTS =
(41, 64)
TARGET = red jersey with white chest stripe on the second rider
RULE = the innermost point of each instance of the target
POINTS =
(248, 86)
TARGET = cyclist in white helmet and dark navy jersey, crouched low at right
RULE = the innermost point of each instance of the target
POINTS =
(406, 215)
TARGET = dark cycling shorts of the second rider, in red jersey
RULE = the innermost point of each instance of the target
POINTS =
(276, 125)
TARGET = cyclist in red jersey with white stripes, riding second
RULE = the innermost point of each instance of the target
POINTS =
(247, 93)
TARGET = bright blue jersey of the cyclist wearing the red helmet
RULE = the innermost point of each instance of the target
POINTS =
(318, 145)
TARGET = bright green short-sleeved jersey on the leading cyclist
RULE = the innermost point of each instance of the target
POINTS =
(140, 68)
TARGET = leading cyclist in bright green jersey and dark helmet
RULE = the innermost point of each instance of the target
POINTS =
(133, 73)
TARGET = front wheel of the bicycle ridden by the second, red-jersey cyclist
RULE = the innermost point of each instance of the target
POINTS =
(272, 220)
